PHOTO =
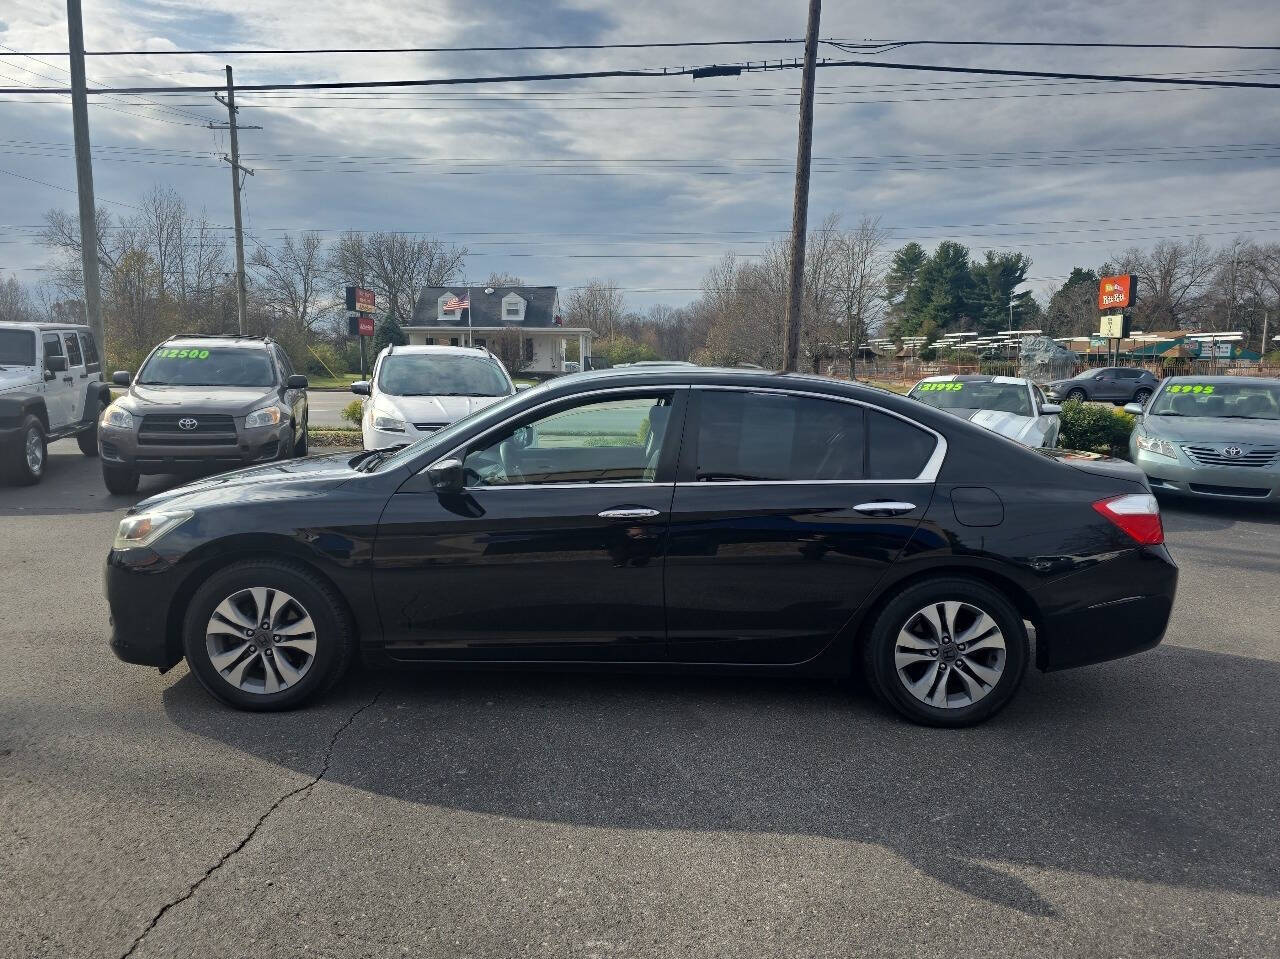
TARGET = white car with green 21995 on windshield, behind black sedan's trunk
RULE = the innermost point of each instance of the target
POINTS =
(1013, 407)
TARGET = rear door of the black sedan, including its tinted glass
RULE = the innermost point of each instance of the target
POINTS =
(789, 510)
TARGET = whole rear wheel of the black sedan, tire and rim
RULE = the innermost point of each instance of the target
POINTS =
(949, 652)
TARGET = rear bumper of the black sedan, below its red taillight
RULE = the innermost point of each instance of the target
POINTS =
(1116, 609)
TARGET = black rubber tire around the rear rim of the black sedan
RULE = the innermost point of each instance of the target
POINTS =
(881, 650)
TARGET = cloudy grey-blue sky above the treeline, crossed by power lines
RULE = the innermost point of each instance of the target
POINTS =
(647, 182)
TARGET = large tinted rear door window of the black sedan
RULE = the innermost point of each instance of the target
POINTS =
(764, 437)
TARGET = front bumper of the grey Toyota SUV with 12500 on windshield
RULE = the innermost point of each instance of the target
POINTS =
(121, 447)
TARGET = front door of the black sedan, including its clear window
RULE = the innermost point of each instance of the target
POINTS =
(554, 550)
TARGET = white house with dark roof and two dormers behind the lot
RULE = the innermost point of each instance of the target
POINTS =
(490, 312)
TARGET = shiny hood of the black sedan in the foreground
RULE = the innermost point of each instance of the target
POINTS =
(287, 479)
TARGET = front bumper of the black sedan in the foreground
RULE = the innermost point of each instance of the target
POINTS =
(140, 591)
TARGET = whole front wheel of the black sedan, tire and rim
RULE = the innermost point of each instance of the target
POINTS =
(267, 634)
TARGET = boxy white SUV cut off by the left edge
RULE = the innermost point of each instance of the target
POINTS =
(51, 387)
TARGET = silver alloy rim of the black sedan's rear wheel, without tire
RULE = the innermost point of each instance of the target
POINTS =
(950, 655)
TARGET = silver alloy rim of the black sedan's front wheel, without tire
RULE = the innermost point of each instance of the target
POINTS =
(262, 641)
